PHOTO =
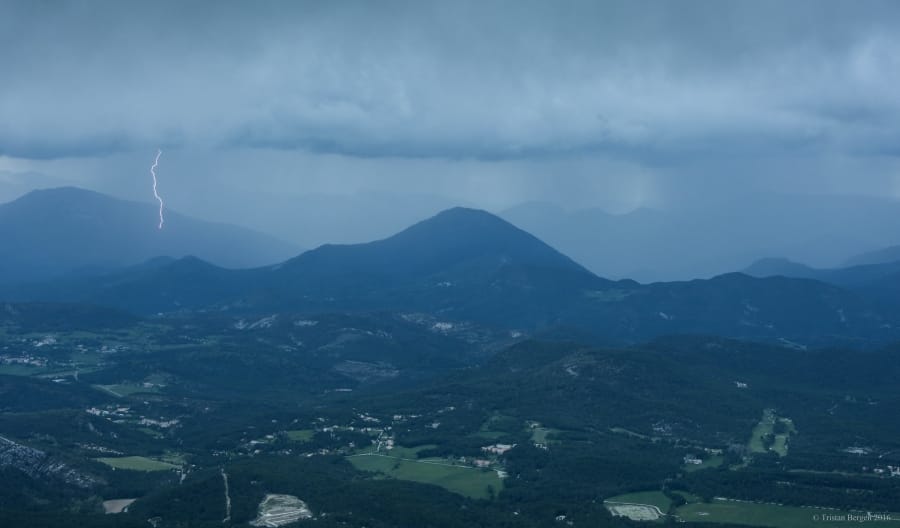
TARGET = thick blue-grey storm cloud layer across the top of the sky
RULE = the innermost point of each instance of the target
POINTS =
(488, 80)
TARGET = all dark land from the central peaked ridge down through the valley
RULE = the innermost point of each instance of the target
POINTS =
(492, 382)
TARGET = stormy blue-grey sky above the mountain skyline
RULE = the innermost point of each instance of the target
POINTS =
(261, 106)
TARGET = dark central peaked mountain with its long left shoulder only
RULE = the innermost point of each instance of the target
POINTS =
(463, 263)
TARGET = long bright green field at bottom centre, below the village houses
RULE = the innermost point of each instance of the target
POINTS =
(467, 481)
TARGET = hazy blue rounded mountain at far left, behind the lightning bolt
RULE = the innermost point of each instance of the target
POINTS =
(57, 232)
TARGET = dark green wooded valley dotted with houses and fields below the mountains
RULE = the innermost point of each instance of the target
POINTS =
(524, 429)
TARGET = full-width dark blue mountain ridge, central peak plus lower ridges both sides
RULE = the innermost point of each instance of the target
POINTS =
(468, 265)
